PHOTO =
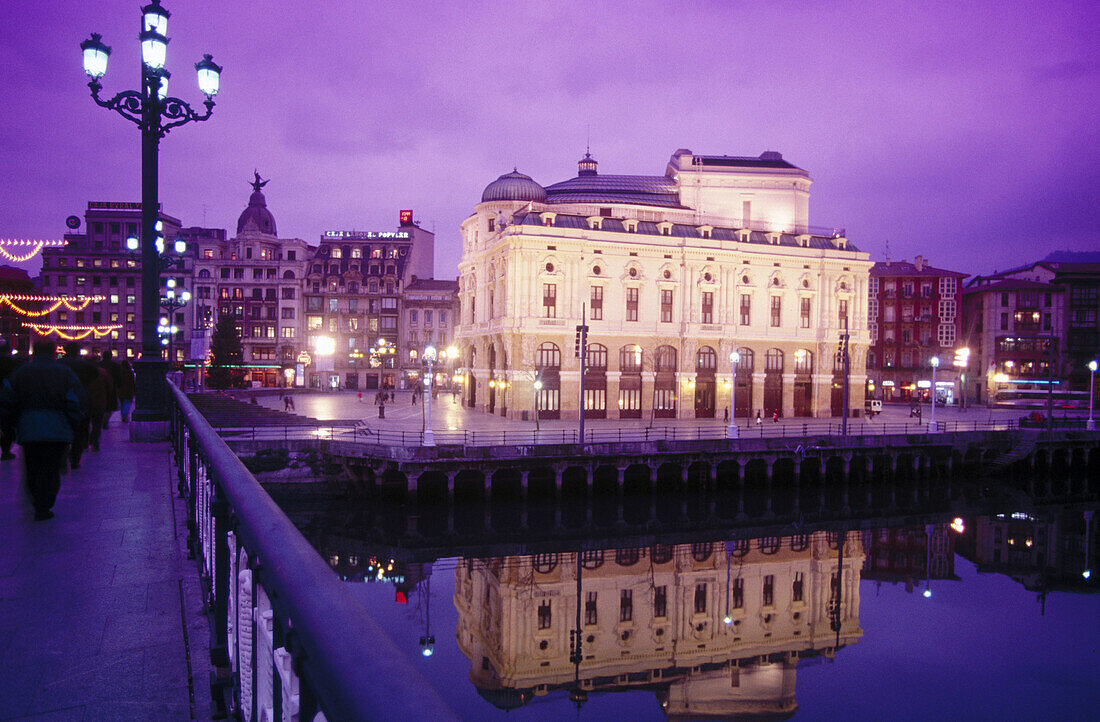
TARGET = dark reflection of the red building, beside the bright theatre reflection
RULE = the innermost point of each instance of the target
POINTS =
(909, 554)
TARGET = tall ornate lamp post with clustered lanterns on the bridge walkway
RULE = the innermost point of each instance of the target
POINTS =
(156, 114)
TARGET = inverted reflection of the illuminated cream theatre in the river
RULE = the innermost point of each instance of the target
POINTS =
(654, 619)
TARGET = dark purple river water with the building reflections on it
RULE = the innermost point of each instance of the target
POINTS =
(975, 608)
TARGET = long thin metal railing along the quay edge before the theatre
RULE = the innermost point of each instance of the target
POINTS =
(623, 435)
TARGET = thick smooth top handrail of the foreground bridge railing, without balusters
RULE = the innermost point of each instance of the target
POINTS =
(354, 671)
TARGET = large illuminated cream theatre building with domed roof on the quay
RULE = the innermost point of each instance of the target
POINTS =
(675, 274)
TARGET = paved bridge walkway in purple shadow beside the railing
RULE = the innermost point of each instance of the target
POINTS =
(101, 610)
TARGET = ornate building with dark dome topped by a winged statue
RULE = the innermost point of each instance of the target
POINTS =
(255, 278)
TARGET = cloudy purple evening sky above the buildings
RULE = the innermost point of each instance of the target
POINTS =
(966, 133)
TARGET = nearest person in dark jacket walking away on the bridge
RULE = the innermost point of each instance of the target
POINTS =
(42, 402)
